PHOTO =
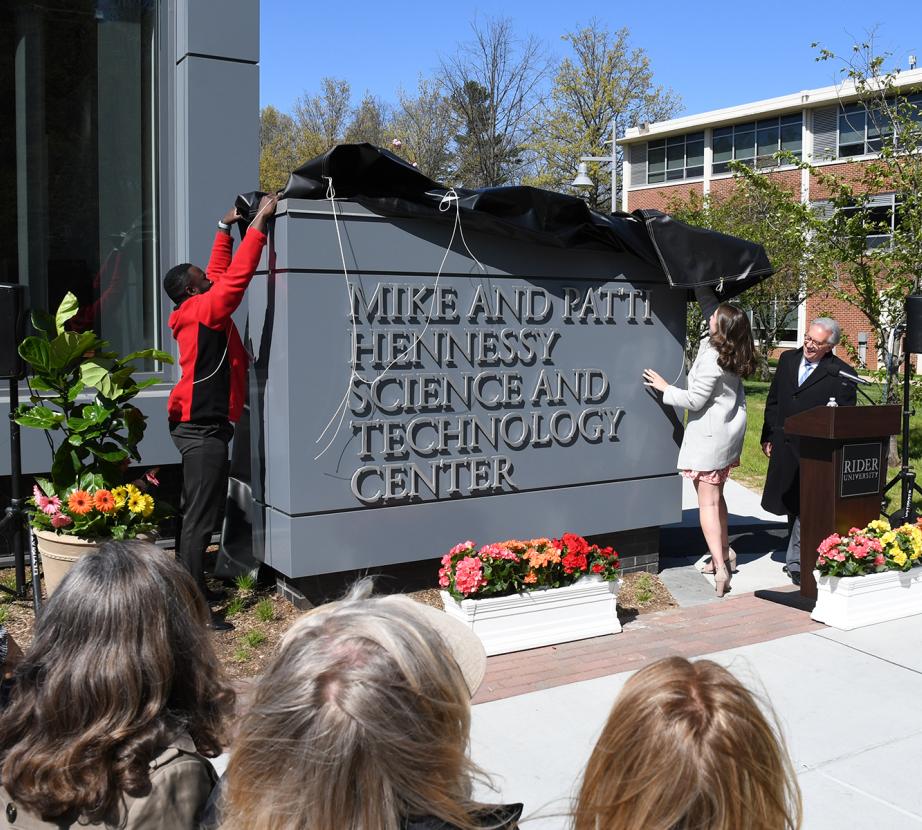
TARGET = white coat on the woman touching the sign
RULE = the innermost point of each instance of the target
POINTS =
(716, 404)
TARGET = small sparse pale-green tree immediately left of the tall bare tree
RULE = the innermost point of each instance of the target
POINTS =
(423, 126)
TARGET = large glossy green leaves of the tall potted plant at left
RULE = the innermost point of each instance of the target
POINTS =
(98, 436)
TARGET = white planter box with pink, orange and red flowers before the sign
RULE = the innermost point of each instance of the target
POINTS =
(523, 594)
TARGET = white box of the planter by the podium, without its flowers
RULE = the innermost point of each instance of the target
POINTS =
(848, 602)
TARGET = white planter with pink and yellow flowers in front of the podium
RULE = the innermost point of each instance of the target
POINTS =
(869, 575)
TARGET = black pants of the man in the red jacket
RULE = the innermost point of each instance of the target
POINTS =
(205, 466)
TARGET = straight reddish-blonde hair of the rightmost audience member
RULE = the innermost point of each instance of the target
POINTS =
(687, 748)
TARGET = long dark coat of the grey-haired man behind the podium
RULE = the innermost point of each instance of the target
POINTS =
(786, 398)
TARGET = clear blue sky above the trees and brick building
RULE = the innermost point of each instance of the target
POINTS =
(713, 54)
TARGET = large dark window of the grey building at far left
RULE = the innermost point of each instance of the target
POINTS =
(77, 158)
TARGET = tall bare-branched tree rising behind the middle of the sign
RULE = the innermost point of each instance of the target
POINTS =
(492, 84)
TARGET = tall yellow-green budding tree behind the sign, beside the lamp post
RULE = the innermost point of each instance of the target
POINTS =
(604, 83)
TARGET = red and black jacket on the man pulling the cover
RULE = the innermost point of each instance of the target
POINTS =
(211, 354)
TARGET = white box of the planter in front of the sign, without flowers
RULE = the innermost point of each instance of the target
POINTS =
(540, 618)
